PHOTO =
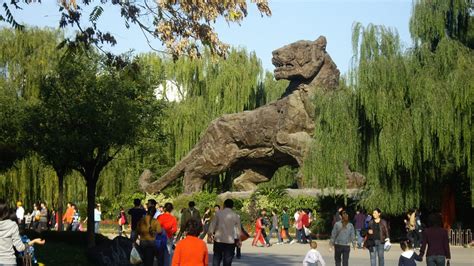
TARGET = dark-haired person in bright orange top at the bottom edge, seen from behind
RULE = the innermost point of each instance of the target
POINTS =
(191, 251)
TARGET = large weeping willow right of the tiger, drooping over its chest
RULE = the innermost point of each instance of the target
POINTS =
(407, 122)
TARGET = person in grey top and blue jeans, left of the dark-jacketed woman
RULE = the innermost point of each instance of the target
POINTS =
(342, 236)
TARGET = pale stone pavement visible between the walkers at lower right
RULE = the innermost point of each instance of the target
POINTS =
(293, 255)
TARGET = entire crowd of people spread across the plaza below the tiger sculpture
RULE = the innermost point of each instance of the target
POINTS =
(160, 240)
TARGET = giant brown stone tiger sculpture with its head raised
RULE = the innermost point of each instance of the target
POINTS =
(260, 141)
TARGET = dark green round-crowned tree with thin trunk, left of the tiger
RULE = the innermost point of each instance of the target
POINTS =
(90, 109)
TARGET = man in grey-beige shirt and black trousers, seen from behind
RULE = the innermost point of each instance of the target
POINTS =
(223, 229)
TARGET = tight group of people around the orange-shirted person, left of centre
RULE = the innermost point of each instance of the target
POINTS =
(155, 235)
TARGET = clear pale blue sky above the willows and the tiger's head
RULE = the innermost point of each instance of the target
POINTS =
(292, 20)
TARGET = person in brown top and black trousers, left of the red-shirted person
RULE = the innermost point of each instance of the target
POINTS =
(147, 228)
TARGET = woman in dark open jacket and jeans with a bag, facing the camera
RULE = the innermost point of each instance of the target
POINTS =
(377, 235)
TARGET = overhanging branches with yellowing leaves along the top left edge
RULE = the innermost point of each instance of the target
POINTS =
(184, 27)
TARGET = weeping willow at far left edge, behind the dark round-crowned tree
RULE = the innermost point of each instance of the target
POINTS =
(25, 56)
